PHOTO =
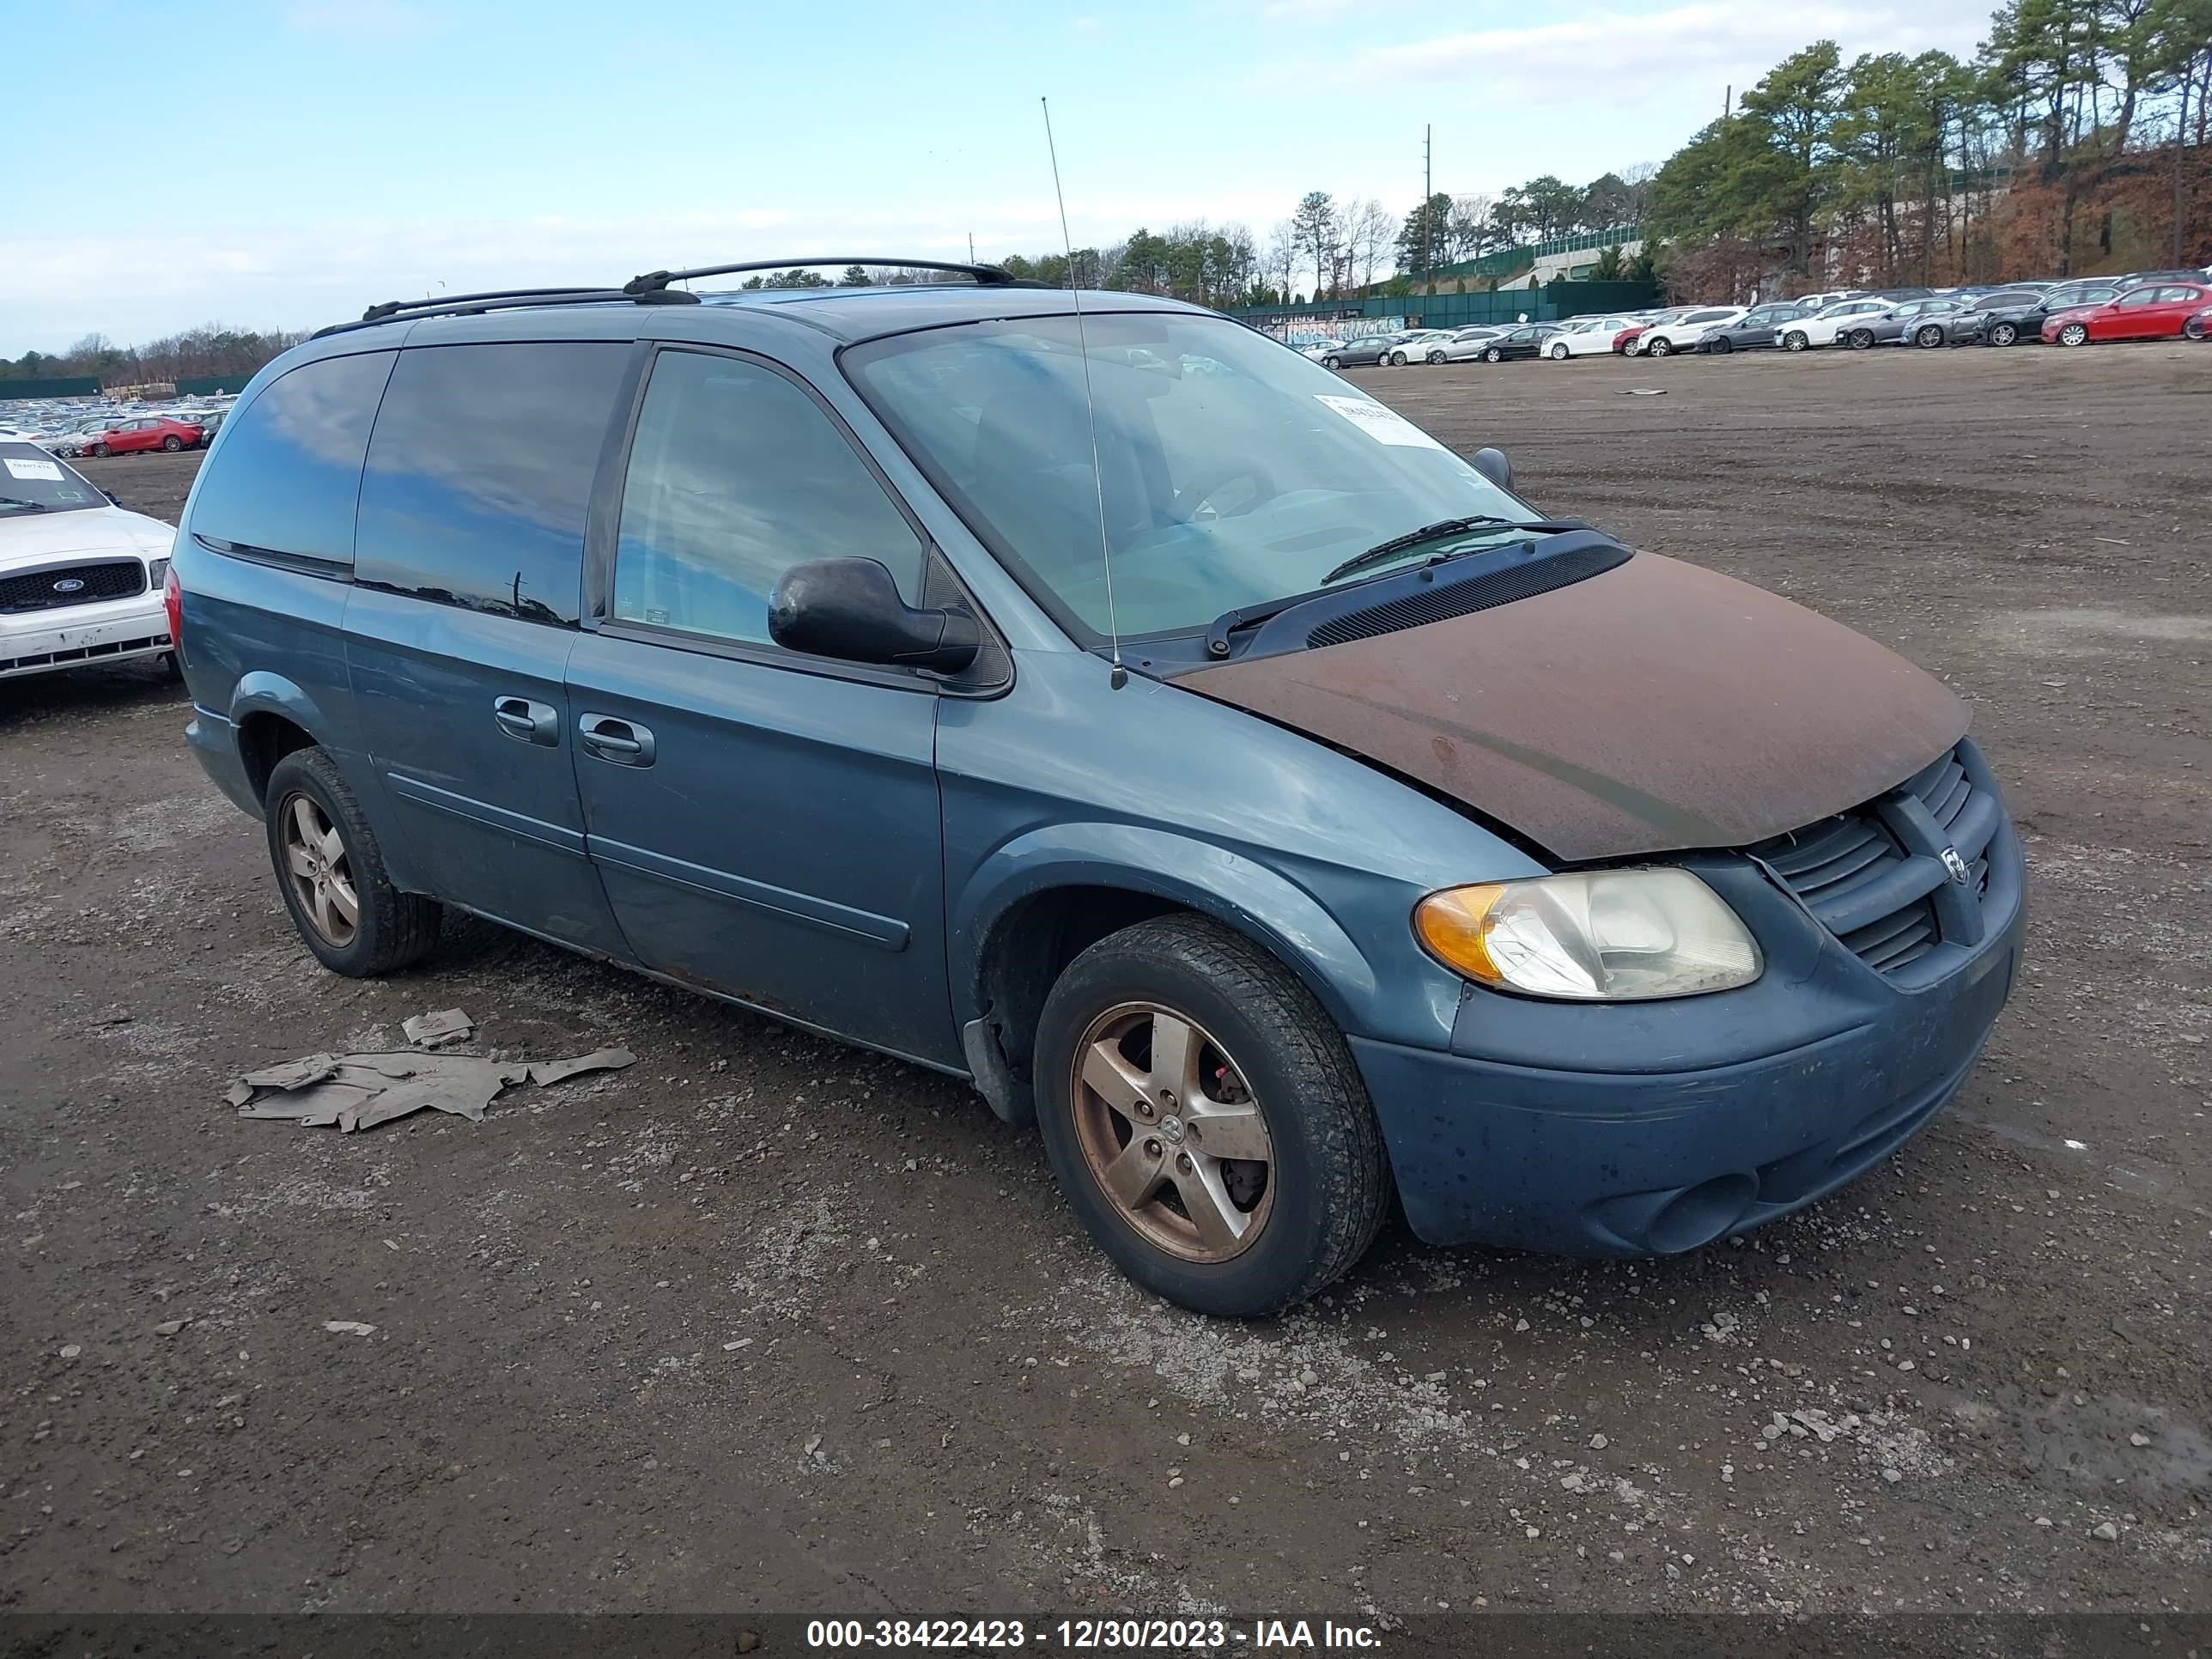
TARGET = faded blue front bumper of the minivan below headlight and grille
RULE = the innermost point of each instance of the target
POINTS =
(1660, 1127)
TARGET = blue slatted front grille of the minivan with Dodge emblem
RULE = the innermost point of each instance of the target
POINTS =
(1877, 877)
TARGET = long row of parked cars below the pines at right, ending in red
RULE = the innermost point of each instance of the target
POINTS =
(2142, 306)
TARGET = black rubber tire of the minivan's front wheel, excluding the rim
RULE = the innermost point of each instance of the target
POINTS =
(1331, 1178)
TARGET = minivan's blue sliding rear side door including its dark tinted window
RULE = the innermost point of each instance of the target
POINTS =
(468, 585)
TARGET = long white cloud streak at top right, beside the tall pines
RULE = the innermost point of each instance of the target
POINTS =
(1623, 59)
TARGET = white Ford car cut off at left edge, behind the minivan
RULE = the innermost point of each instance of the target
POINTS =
(81, 578)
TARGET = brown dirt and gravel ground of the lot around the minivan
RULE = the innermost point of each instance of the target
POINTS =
(771, 1326)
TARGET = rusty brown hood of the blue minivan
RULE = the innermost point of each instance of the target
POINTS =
(1649, 709)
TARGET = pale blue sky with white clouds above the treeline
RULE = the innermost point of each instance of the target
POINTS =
(286, 163)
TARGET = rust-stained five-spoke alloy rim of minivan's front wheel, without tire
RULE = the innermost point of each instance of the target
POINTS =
(1171, 1134)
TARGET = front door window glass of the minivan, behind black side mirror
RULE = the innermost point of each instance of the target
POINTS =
(738, 477)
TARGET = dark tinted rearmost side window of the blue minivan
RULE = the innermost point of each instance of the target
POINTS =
(289, 472)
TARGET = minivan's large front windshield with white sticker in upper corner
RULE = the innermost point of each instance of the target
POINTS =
(1233, 472)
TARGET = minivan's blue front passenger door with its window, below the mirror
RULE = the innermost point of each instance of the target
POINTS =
(764, 824)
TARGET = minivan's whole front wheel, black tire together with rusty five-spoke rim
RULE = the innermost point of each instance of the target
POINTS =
(1324, 1187)
